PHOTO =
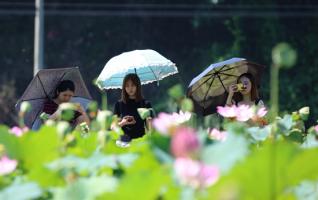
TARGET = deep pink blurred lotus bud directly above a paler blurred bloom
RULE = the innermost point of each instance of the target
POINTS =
(184, 143)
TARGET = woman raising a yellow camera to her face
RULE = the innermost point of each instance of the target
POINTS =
(244, 92)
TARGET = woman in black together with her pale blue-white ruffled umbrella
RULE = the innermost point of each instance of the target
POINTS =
(128, 71)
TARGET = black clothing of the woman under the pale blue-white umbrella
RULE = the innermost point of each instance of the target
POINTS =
(130, 108)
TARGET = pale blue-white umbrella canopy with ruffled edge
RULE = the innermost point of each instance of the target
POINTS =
(148, 64)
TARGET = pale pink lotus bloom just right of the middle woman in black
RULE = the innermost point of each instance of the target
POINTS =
(166, 123)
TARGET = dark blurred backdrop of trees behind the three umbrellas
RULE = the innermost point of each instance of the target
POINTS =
(191, 33)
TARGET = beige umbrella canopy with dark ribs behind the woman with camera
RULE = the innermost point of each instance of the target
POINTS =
(210, 88)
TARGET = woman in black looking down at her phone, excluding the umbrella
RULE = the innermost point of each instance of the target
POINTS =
(126, 109)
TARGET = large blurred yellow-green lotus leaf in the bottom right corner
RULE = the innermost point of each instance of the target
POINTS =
(274, 175)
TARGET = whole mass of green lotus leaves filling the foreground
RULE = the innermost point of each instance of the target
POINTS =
(251, 162)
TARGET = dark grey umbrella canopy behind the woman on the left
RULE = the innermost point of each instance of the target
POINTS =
(42, 87)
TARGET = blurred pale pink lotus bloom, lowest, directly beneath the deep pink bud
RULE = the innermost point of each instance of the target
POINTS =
(195, 174)
